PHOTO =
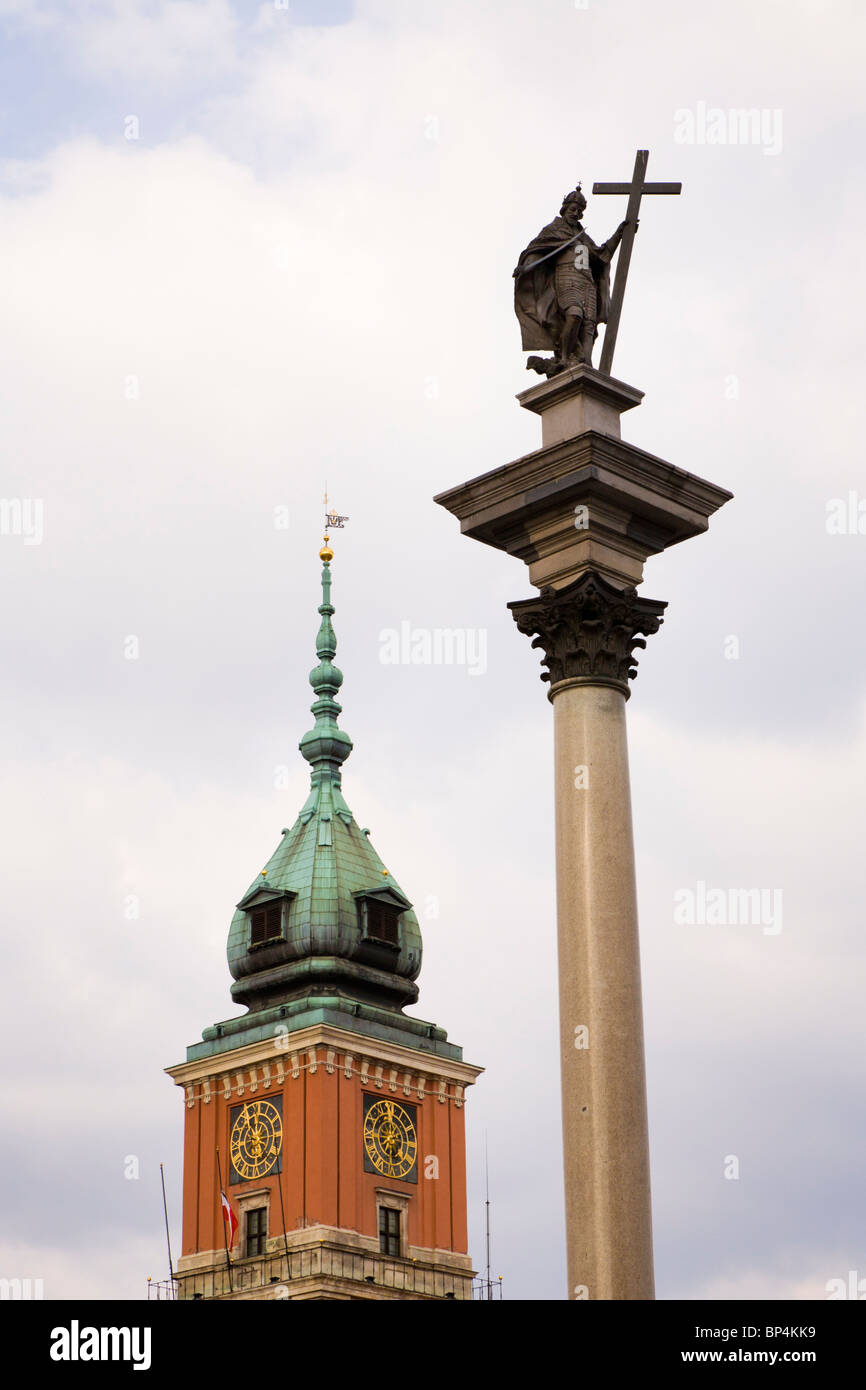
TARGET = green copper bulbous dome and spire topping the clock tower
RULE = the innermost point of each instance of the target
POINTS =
(325, 932)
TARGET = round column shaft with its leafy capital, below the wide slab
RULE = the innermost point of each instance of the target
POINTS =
(589, 632)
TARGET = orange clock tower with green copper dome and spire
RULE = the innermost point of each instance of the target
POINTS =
(325, 1152)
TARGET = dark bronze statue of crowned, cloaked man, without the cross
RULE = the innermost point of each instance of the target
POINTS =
(562, 288)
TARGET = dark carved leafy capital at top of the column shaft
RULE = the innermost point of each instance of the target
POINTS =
(589, 630)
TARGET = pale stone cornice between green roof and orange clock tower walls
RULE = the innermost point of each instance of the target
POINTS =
(269, 1064)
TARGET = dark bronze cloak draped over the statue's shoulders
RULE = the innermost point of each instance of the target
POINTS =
(534, 283)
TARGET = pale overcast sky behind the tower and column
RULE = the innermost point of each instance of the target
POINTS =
(247, 250)
